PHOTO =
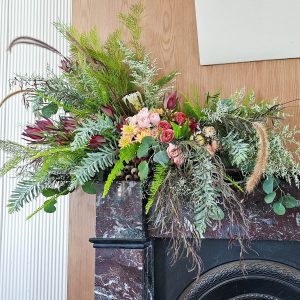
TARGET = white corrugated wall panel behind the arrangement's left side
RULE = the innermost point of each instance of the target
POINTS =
(33, 254)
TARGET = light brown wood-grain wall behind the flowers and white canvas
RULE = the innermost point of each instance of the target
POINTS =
(170, 35)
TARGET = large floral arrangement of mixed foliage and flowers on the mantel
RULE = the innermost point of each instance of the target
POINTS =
(109, 116)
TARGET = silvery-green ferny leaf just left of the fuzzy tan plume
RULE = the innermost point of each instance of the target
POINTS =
(237, 148)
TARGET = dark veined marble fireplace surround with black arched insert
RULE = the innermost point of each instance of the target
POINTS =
(133, 263)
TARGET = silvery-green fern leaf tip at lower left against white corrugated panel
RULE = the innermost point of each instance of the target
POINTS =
(25, 191)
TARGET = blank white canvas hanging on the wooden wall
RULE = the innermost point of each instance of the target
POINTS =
(231, 31)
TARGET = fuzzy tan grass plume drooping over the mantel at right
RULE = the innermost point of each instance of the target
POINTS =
(262, 157)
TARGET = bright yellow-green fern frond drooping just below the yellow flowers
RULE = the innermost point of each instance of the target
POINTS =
(126, 155)
